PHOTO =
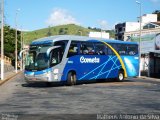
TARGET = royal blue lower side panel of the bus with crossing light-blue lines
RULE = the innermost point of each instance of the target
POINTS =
(107, 67)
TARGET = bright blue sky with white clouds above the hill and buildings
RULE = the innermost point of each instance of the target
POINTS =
(32, 15)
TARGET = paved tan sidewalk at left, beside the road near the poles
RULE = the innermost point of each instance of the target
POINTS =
(8, 76)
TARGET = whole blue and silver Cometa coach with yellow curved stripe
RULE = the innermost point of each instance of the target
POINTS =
(67, 58)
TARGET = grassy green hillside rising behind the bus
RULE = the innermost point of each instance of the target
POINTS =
(70, 29)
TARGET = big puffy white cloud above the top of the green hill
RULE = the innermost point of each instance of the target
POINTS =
(60, 17)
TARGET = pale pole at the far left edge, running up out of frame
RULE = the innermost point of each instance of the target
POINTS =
(2, 40)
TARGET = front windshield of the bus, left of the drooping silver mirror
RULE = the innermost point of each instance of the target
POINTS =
(36, 61)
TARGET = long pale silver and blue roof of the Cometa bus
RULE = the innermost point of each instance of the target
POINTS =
(47, 40)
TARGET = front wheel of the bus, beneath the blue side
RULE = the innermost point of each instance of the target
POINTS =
(71, 79)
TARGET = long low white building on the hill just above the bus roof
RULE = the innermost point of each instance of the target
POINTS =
(99, 35)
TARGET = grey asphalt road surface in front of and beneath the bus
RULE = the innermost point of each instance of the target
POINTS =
(19, 100)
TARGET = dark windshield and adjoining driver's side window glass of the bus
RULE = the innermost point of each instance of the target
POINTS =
(37, 58)
